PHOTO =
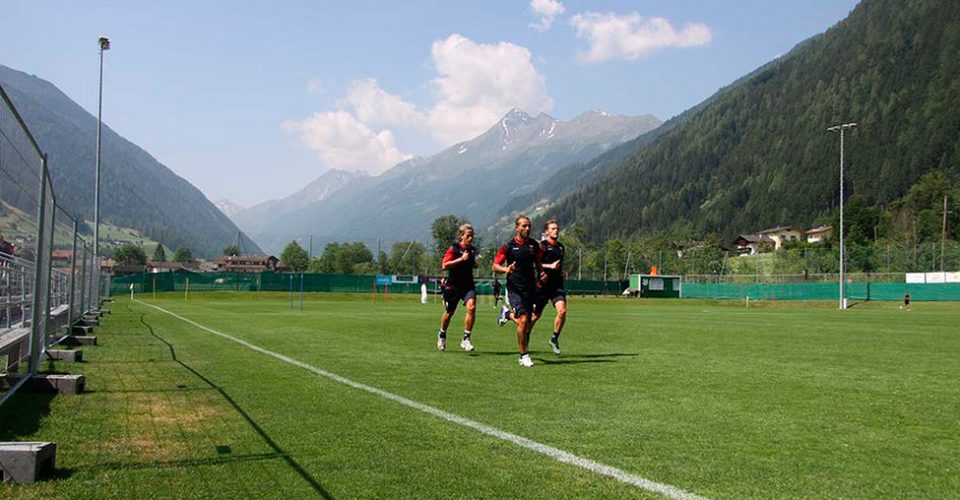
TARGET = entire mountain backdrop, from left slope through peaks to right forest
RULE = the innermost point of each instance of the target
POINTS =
(756, 154)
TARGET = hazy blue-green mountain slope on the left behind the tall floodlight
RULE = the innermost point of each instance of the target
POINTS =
(136, 190)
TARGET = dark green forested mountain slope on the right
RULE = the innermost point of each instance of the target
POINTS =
(758, 154)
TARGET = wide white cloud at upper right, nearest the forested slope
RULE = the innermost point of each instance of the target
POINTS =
(630, 36)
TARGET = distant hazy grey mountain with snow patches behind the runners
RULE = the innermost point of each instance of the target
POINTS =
(472, 179)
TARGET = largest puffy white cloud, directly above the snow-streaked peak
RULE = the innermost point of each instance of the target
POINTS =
(478, 83)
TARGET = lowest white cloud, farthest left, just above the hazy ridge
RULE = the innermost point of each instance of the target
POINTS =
(344, 142)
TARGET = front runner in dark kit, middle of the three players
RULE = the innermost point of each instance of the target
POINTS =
(519, 259)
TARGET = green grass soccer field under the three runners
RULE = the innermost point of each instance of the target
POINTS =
(238, 395)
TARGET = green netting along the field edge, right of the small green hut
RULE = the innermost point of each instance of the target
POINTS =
(823, 291)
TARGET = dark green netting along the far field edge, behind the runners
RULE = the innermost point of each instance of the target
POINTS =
(283, 282)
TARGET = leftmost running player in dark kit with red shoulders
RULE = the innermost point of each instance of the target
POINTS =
(459, 262)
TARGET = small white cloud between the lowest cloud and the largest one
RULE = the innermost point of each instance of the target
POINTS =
(373, 105)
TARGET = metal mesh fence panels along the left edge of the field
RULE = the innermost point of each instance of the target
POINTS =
(44, 287)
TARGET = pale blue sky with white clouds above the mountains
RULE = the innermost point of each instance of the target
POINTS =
(252, 100)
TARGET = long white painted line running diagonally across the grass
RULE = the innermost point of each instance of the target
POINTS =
(554, 453)
